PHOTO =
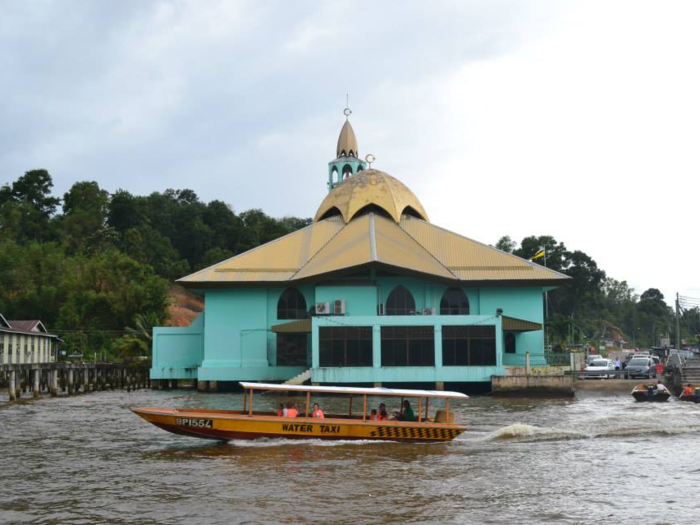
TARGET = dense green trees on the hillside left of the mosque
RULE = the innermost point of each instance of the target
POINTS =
(96, 267)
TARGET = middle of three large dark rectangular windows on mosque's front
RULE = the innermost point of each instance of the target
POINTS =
(408, 346)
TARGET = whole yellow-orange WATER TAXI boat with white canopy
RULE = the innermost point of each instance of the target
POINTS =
(227, 425)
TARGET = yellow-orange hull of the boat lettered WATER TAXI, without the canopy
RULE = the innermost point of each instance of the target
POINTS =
(231, 425)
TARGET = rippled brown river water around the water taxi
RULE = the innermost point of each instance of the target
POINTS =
(597, 459)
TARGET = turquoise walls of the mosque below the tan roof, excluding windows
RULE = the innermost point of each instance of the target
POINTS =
(236, 341)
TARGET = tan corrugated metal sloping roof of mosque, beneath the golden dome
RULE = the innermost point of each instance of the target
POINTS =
(331, 246)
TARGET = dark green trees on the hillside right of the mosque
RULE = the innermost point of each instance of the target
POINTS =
(593, 306)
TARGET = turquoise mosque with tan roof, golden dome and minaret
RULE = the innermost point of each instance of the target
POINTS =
(370, 293)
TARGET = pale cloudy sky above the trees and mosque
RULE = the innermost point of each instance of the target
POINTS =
(579, 120)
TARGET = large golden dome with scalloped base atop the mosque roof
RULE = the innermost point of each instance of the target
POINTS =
(370, 189)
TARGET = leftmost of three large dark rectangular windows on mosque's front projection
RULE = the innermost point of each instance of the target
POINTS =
(345, 346)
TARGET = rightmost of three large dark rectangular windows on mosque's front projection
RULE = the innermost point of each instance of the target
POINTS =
(468, 346)
